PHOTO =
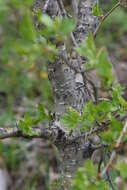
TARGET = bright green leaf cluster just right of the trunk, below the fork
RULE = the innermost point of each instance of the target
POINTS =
(97, 60)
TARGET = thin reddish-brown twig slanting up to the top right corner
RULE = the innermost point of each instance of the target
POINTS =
(106, 16)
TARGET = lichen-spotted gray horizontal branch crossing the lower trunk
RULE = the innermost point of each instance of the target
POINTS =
(53, 132)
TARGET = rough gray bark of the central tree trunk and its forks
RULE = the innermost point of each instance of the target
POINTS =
(65, 75)
